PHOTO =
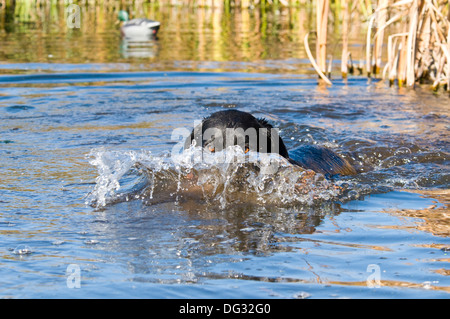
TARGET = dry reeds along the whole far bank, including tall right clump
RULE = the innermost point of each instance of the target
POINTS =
(406, 42)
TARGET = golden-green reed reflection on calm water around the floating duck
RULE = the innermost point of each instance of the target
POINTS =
(187, 34)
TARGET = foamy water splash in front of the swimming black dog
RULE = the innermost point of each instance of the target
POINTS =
(223, 178)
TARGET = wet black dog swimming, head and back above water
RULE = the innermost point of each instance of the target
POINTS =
(233, 127)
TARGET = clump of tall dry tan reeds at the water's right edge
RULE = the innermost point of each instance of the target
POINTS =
(420, 52)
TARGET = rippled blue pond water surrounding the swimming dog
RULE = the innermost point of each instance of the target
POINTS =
(89, 186)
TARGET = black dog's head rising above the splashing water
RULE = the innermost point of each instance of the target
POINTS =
(233, 127)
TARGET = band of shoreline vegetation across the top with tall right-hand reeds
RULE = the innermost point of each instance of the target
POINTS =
(404, 42)
